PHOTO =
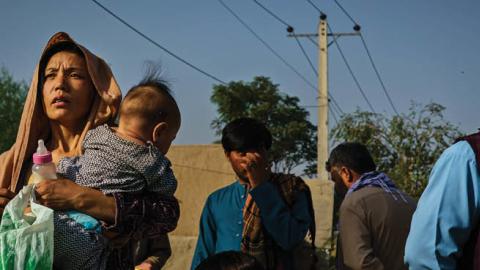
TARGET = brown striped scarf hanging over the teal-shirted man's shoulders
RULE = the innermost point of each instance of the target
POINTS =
(254, 239)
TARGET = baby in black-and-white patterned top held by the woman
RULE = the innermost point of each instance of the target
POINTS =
(130, 158)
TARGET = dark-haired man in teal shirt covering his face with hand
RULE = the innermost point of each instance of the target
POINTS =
(263, 214)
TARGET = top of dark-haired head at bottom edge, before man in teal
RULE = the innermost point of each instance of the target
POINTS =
(230, 260)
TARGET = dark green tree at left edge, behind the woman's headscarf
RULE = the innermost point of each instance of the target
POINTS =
(12, 98)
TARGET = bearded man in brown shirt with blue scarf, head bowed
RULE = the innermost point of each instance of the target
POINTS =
(374, 216)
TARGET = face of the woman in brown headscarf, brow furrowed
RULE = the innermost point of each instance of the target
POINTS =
(68, 90)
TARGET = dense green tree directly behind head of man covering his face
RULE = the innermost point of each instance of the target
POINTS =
(294, 137)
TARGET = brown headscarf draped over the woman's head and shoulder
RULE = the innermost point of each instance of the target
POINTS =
(34, 124)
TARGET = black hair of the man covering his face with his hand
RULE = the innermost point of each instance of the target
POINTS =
(244, 134)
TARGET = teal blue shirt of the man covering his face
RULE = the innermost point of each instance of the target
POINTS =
(221, 222)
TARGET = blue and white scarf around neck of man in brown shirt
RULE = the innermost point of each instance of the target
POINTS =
(376, 179)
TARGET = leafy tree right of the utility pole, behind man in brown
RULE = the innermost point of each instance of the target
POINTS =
(405, 146)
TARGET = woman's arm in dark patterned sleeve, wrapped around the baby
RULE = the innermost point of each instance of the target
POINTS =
(142, 215)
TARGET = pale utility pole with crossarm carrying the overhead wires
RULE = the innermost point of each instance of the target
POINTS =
(322, 189)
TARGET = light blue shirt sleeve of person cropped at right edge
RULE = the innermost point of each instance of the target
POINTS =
(447, 211)
